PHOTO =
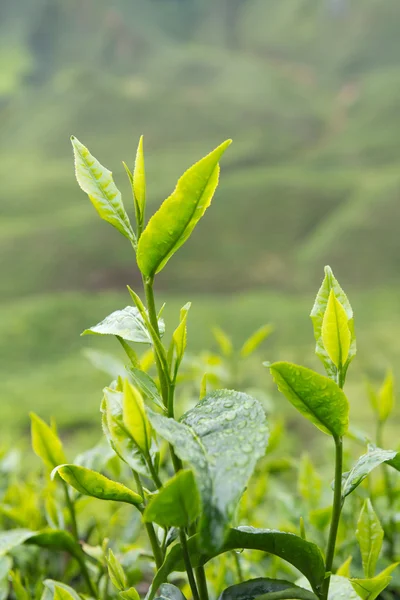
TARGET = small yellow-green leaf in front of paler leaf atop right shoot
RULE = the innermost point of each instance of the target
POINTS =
(335, 331)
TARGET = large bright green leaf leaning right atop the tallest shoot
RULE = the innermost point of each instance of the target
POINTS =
(175, 220)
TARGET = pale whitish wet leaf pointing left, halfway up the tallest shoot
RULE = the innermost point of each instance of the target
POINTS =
(127, 324)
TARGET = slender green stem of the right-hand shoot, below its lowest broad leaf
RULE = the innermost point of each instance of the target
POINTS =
(337, 508)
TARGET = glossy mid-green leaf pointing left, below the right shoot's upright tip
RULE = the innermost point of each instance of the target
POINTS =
(316, 397)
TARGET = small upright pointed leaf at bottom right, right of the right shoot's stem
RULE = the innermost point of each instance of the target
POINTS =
(369, 535)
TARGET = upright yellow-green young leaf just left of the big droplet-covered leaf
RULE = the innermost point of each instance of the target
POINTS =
(135, 418)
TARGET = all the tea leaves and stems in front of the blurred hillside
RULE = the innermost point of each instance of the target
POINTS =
(191, 470)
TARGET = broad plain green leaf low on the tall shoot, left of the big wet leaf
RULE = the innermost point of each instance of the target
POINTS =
(177, 504)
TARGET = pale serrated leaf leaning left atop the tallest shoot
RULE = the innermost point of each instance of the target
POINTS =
(97, 182)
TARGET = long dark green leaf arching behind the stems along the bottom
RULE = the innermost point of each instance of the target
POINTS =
(304, 556)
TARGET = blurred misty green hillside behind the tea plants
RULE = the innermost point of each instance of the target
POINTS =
(309, 91)
